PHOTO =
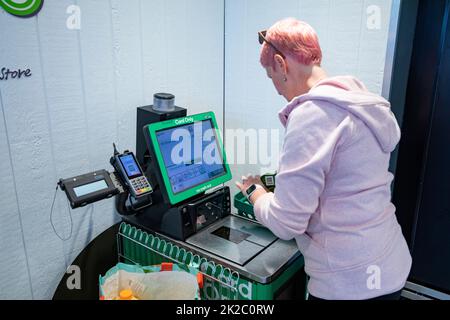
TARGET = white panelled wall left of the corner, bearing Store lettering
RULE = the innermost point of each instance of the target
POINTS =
(82, 96)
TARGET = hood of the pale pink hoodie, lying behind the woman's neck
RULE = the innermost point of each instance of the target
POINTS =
(350, 94)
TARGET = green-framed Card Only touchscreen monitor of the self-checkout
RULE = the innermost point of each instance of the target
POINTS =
(190, 155)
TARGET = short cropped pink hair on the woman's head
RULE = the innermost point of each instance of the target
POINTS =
(294, 38)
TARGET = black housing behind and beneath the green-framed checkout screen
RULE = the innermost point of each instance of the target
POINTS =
(186, 218)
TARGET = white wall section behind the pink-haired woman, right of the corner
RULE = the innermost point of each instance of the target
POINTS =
(349, 47)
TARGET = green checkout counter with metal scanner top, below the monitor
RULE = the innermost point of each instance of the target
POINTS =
(245, 262)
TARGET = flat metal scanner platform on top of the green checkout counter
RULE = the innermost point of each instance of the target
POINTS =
(263, 261)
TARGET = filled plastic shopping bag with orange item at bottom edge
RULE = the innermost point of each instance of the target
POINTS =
(162, 282)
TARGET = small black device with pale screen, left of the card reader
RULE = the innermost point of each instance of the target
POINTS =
(88, 188)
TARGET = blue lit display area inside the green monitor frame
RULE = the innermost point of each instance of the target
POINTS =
(191, 155)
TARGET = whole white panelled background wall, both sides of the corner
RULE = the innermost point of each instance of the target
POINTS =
(87, 84)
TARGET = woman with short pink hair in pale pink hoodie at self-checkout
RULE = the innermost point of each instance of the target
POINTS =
(333, 186)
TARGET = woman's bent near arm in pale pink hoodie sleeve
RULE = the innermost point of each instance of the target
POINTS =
(312, 136)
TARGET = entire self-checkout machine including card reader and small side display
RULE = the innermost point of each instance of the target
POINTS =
(176, 208)
